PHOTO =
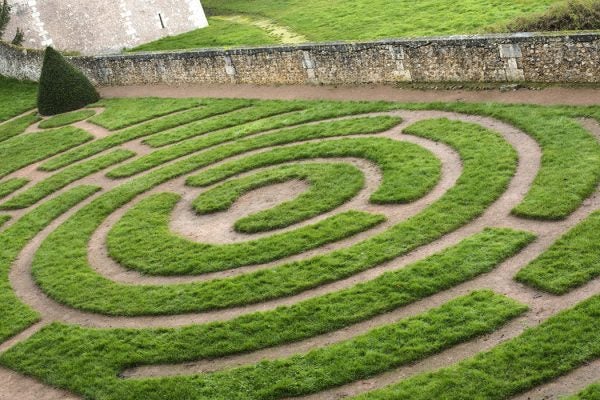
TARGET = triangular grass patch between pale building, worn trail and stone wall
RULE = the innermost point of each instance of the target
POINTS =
(219, 33)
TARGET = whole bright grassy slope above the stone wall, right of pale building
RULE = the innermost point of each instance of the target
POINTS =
(331, 20)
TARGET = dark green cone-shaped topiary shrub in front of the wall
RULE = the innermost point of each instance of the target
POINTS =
(62, 87)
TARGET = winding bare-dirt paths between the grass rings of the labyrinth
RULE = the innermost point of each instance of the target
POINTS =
(541, 305)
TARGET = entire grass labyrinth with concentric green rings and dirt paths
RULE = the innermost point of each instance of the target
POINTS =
(247, 249)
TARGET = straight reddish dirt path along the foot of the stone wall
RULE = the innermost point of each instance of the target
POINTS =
(548, 96)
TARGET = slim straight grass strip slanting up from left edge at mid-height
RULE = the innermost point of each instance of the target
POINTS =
(63, 178)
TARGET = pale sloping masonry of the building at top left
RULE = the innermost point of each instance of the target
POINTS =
(102, 26)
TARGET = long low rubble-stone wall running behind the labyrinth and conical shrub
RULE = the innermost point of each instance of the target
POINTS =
(495, 58)
